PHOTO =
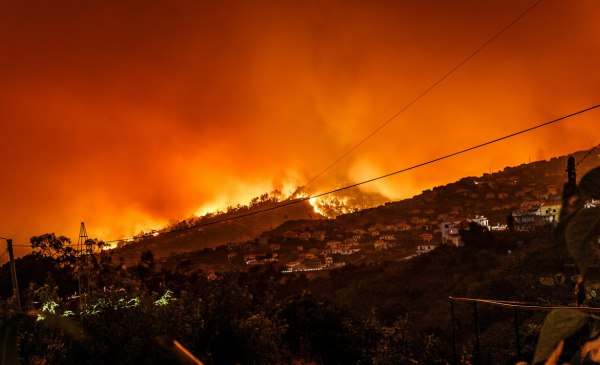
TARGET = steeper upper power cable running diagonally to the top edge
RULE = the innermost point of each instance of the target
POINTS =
(425, 92)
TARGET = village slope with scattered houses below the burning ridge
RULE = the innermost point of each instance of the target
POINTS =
(521, 198)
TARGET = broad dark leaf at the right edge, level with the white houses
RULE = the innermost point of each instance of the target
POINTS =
(582, 237)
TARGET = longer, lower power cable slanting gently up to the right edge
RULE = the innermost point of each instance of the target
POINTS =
(300, 200)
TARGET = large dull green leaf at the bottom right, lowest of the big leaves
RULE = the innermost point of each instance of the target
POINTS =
(558, 325)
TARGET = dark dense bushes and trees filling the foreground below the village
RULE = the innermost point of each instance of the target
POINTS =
(385, 313)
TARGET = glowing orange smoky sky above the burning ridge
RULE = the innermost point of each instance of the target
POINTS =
(126, 114)
